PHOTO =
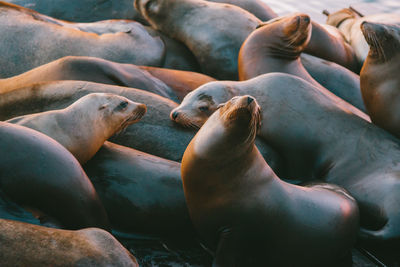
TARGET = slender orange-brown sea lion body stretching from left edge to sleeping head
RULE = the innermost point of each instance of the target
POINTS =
(172, 84)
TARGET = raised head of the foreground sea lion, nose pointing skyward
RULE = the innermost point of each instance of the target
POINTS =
(231, 130)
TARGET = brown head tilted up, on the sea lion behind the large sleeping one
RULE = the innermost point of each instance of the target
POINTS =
(293, 33)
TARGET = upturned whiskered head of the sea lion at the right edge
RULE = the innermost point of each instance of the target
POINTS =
(383, 40)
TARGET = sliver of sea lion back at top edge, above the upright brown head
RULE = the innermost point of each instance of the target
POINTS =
(256, 7)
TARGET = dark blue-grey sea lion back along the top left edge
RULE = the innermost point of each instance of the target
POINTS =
(88, 11)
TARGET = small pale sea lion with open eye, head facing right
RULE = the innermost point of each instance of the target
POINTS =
(96, 117)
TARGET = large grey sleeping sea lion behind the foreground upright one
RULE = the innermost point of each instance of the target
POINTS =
(318, 138)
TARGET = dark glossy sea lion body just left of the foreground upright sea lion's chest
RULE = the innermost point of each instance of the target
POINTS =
(141, 192)
